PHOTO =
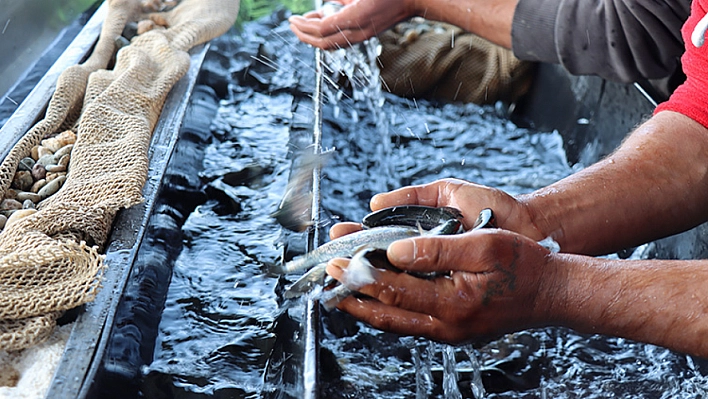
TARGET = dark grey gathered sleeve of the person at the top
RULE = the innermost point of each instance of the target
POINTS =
(619, 40)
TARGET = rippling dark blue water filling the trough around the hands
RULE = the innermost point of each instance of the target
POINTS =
(224, 326)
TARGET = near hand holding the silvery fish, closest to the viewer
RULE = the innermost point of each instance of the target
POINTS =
(495, 282)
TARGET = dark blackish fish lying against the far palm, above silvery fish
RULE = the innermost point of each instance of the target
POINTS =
(427, 217)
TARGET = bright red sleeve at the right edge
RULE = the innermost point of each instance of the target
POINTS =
(691, 98)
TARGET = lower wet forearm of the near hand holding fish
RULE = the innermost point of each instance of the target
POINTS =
(660, 302)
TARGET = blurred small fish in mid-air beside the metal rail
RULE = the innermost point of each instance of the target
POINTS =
(295, 209)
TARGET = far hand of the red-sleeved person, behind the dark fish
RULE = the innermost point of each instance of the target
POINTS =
(470, 198)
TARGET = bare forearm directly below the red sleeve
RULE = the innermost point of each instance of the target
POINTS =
(654, 185)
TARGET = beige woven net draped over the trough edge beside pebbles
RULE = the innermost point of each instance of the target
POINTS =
(51, 259)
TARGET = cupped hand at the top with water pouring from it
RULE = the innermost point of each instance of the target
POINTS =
(357, 21)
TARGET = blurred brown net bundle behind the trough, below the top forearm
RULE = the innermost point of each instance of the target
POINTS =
(421, 58)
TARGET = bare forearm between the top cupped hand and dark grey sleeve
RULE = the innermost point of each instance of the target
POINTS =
(488, 19)
